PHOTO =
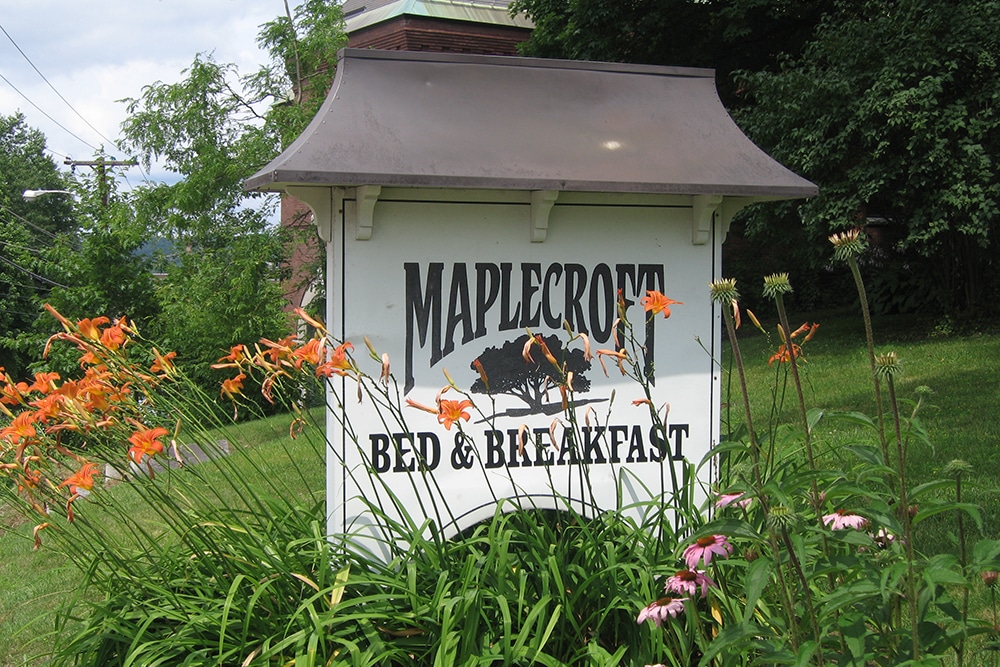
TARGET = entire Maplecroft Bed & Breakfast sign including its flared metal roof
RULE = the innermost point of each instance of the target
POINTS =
(533, 254)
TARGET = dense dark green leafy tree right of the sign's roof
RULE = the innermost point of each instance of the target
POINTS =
(891, 110)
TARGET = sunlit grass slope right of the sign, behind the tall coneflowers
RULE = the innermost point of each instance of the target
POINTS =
(960, 416)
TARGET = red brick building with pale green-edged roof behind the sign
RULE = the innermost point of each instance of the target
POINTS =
(482, 27)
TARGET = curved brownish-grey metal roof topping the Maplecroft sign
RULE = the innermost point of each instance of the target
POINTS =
(396, 118)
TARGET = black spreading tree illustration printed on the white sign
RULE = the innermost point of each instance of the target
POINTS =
(508, 372)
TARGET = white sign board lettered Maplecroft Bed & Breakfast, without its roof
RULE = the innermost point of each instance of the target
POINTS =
(440, 281)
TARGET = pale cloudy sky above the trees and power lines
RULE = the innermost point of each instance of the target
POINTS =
(81, 56)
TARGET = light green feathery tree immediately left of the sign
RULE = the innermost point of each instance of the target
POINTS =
(214, 129)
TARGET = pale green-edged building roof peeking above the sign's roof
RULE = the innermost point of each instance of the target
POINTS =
(360, 14)
